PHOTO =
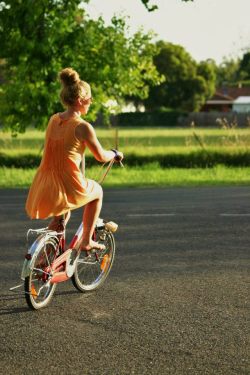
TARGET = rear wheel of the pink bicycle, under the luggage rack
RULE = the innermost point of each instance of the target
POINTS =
(37, 286)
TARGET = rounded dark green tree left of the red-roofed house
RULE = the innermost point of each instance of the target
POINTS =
(187, 84)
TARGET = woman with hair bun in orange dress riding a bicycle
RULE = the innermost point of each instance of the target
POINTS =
(59, 186)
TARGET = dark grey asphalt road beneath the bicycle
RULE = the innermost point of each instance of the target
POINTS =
(176, 300)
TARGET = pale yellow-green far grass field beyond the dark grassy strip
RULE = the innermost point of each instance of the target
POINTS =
(141, 140)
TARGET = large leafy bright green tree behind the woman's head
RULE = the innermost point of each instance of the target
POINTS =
(38, 40)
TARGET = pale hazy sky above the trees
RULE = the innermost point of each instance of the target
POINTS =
(214, 29)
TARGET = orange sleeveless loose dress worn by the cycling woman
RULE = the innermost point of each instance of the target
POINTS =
(59, 185)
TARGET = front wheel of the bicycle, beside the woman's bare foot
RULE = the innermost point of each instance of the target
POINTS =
(92, 270)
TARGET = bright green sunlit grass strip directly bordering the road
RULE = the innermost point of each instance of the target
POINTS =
(147, 176)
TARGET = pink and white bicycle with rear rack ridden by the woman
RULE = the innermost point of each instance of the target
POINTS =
(48, 262)
